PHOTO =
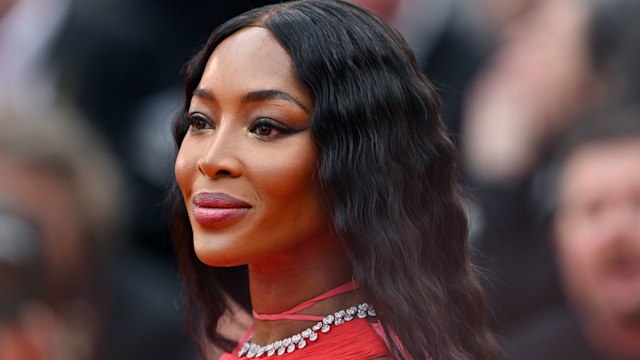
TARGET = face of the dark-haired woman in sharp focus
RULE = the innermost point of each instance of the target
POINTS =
(246, 167)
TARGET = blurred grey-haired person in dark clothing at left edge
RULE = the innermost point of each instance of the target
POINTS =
(69, 289)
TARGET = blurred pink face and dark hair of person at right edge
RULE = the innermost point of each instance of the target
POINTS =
(597, 232)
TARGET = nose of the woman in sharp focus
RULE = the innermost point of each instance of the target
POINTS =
(220, 158)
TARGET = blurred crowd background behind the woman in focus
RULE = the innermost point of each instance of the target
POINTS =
(88, 90)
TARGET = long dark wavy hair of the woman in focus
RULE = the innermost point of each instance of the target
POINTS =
(389, 175)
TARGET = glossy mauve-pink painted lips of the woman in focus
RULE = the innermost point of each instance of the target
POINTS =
(212, 209)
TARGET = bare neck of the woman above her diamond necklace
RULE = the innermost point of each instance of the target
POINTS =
(283, 281)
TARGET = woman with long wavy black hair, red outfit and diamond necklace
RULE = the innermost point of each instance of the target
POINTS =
(313, 165)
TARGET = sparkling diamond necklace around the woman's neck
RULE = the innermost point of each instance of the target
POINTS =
(300, 340)
